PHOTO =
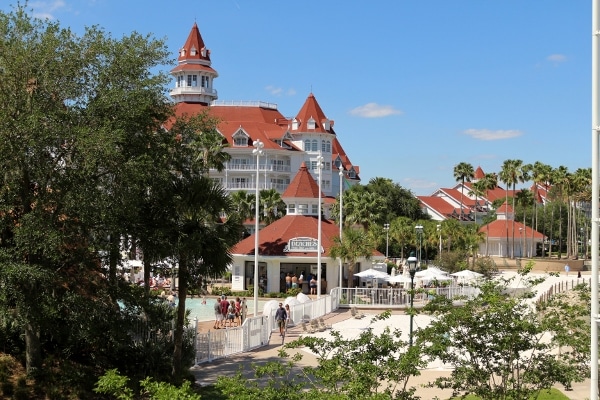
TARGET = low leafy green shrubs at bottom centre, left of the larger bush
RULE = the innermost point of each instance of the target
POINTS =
(366, 367)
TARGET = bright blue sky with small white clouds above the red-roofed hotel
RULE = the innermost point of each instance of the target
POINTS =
(414, 86)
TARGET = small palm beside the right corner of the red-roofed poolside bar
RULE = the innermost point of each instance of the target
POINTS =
(356, 244)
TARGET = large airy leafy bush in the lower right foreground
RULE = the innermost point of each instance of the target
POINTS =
(501, 346)
